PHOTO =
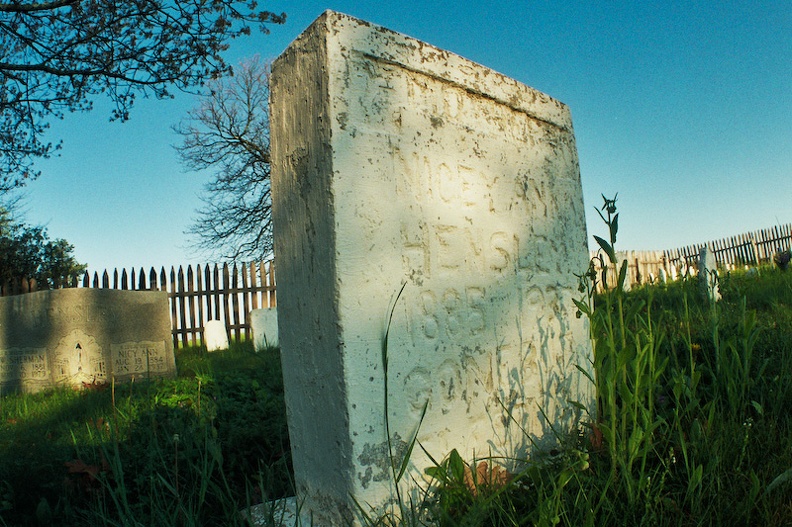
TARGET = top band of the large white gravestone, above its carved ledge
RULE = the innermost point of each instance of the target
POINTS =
(377, 42)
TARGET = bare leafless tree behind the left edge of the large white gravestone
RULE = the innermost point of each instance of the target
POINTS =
(228, 132)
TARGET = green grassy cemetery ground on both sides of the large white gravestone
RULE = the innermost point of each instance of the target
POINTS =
(694, 428)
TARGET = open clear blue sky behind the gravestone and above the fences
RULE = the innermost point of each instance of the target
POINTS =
(683, 108)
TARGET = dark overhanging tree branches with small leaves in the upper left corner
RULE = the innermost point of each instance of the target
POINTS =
(56, 56)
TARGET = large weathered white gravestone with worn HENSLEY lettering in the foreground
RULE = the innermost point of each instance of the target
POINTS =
(396, 162)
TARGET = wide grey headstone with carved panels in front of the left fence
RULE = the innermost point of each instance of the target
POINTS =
(76, 336)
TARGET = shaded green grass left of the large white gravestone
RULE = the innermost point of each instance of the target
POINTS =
(186, 451)
